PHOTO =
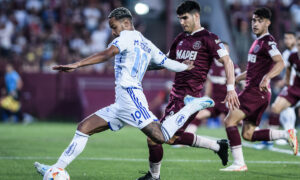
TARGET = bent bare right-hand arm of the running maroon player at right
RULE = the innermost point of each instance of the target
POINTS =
(276, 69)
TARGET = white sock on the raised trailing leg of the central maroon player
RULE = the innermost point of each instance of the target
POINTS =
(205, 143)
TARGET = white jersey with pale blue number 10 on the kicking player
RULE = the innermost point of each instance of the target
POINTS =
(136, 52)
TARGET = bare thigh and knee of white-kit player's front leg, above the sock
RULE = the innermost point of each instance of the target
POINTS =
(92, 124)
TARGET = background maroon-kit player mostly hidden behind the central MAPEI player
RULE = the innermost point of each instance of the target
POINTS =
(215, 87)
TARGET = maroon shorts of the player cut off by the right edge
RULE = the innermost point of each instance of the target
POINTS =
(292, 94)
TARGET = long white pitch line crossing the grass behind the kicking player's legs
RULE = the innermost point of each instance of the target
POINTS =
(140, 160)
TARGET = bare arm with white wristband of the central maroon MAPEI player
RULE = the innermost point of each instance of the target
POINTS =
(231, 97)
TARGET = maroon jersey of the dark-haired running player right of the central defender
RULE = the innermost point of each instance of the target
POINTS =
(260, 59)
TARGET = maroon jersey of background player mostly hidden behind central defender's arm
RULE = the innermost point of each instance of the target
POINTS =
(217, 77)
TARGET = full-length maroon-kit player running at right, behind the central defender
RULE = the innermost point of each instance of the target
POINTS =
(264, 63)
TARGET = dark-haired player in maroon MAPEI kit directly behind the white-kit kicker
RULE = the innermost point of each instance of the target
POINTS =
(202, 47)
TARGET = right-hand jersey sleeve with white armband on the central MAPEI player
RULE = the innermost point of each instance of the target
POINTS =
(216, 47)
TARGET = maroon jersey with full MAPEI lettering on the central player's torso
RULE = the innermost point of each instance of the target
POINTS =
(202, 47)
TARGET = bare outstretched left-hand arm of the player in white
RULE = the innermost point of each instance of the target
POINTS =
(93, 59)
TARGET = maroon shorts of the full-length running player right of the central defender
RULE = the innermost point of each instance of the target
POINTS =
(254, 103)
